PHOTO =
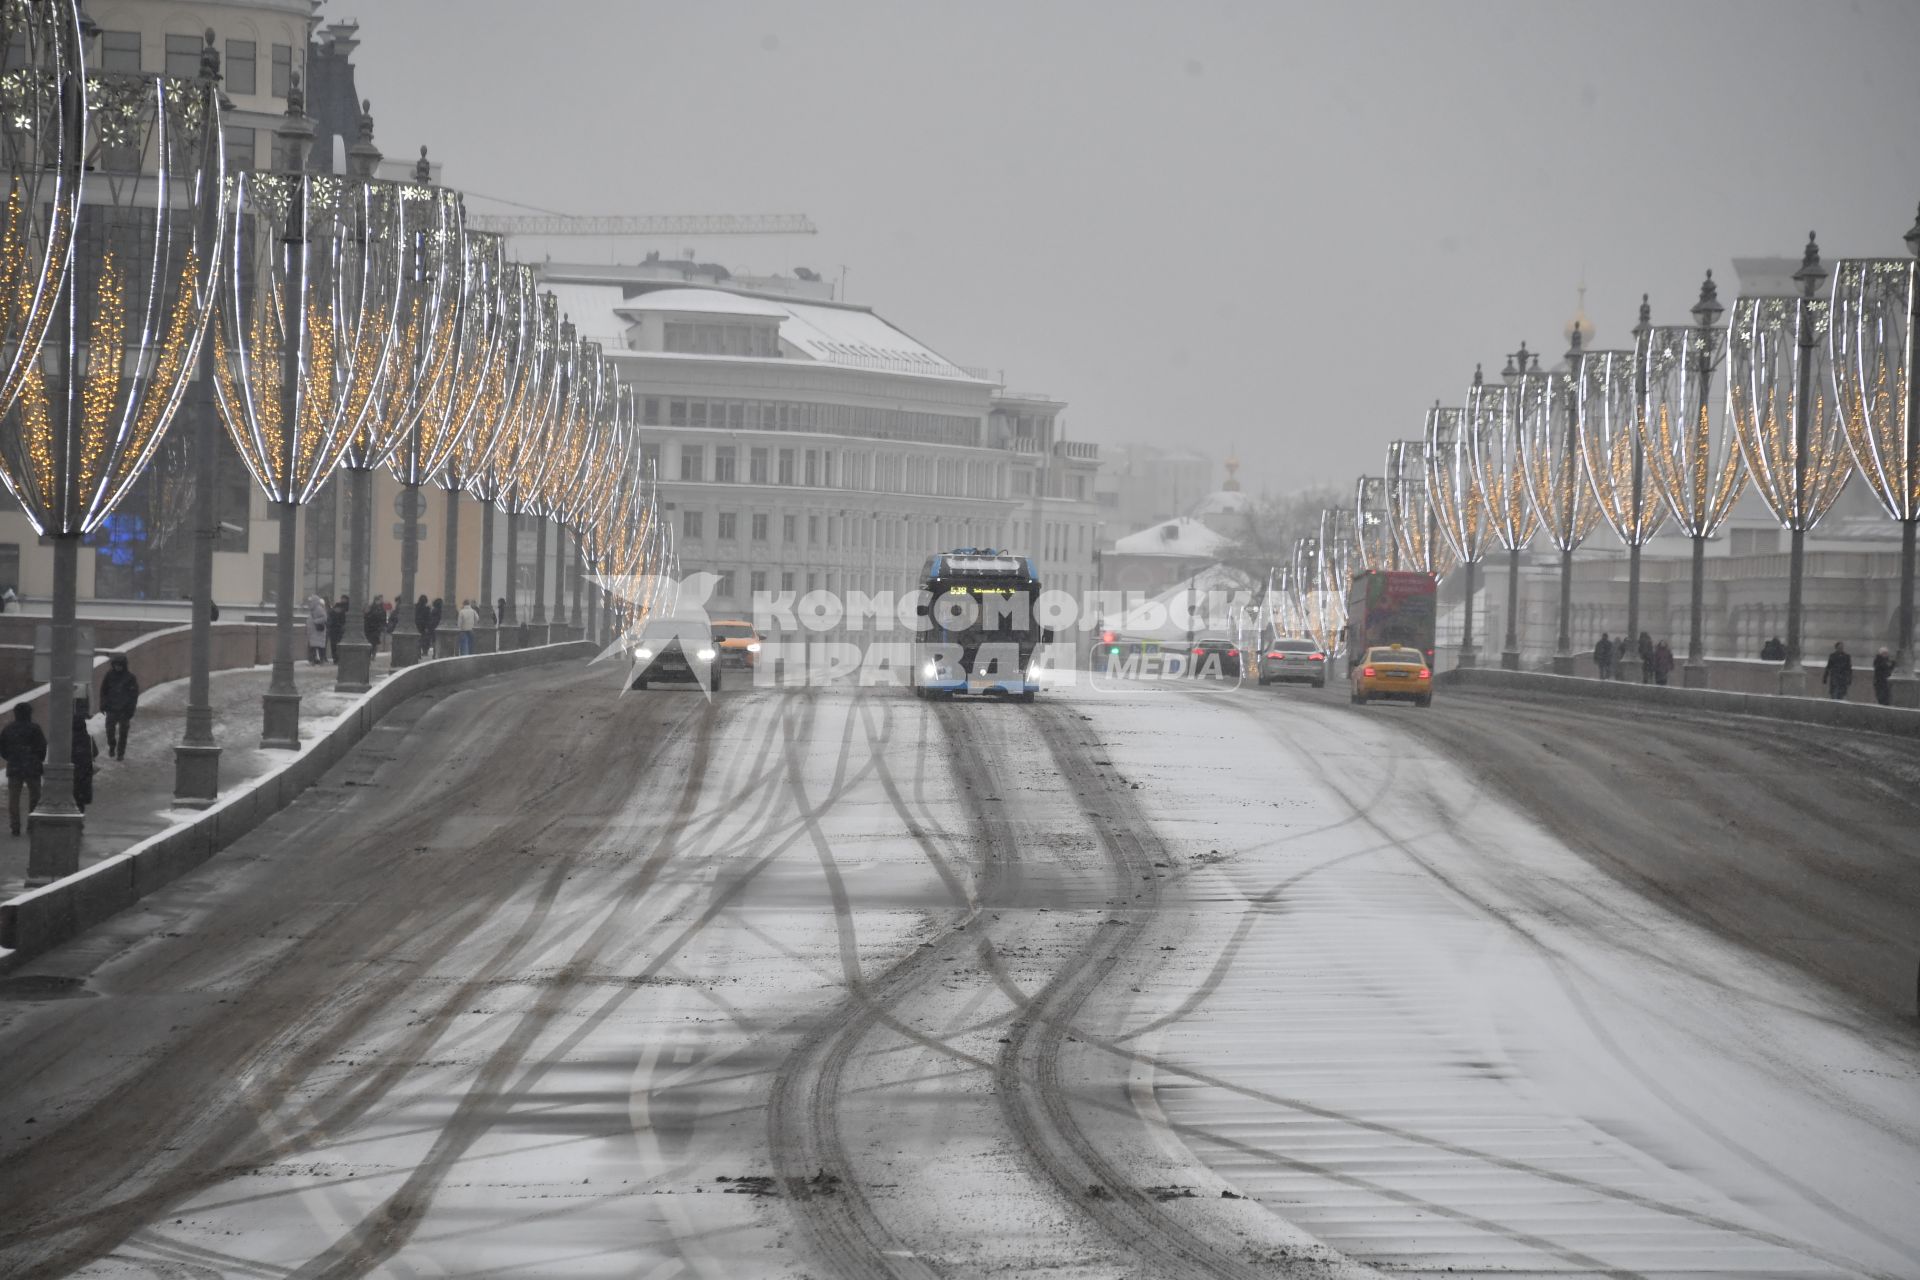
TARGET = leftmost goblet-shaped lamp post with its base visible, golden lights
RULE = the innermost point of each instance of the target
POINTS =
(120, 348)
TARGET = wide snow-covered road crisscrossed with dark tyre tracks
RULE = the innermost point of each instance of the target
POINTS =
(823, 984)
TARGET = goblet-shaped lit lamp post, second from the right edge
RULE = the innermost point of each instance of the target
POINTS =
(1790, 433)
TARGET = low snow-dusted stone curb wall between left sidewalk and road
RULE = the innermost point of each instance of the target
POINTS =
(45, 918)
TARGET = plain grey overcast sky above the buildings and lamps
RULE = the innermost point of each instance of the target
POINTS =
(1280, 229)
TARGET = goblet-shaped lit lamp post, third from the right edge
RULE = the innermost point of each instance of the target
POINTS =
(1694, 454)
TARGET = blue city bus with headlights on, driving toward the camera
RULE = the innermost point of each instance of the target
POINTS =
(980, 613)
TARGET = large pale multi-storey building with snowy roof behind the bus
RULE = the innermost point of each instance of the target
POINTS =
(811, 446)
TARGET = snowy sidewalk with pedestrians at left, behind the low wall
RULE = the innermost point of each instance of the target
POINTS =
(133, 797)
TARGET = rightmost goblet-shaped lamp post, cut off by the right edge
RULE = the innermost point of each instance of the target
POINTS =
(1877, 354)
